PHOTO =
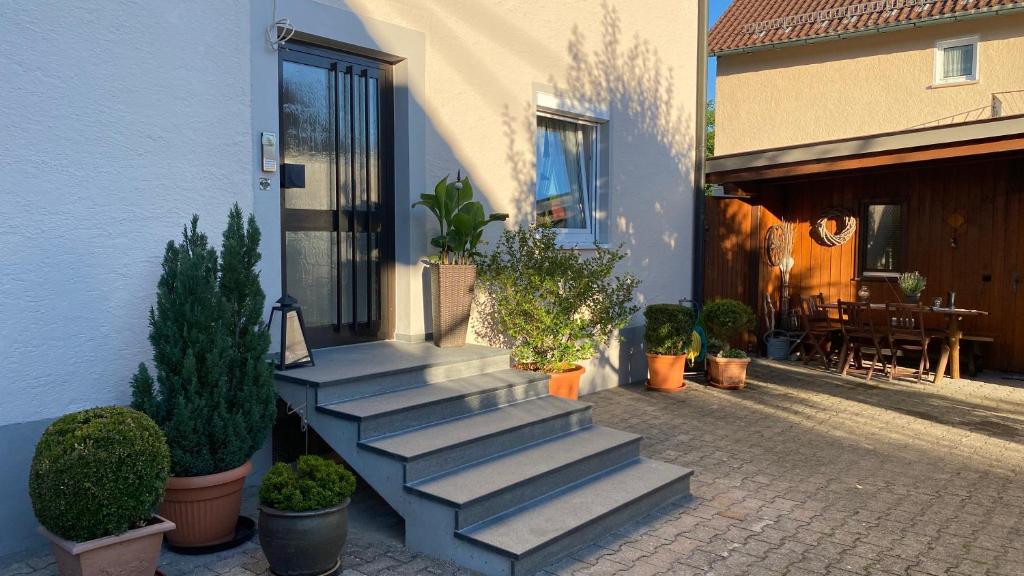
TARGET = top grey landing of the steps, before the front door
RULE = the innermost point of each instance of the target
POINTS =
(359, 371)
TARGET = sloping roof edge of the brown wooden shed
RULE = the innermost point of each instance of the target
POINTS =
(960, 141)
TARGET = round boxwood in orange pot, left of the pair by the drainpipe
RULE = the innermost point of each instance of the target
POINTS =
(668, 338)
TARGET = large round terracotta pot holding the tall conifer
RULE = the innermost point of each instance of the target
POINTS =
(204, 508)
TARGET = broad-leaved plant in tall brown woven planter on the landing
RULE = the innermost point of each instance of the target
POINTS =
(453, 274)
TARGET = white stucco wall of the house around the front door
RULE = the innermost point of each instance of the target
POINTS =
(122, 118)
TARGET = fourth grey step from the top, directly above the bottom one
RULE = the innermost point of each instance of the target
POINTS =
(488, 488)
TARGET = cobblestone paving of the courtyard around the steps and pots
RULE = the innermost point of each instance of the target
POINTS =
(802, 474)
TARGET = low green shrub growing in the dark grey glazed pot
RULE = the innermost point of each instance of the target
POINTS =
(312, 484)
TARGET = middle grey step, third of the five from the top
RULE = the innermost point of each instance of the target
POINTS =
(450, 444)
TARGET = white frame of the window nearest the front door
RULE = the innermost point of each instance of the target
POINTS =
(550, 106)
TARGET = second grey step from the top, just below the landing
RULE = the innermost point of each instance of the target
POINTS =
(395, 412)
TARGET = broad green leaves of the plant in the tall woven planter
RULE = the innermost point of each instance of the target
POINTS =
(460, 218)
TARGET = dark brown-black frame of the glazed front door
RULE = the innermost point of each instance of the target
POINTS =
(335, 60)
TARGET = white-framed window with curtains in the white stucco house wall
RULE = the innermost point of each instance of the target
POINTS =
(569, 172)
